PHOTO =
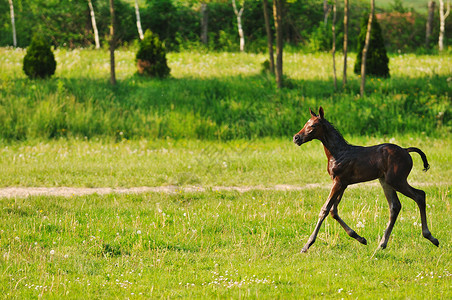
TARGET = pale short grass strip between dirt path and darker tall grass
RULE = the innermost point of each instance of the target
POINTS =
(262, 162)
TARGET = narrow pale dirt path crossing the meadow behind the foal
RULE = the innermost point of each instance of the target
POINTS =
(23, 192)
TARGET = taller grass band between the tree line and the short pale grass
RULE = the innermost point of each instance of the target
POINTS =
(217, 96)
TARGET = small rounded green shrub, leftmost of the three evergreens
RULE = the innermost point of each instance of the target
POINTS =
(39, 62)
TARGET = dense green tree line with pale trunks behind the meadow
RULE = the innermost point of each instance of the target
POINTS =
(223, 25)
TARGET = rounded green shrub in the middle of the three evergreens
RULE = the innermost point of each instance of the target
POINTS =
(151, 57)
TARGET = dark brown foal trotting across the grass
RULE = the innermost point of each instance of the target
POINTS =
(348, 164)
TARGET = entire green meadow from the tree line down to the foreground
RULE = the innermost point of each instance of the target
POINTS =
(217, 122)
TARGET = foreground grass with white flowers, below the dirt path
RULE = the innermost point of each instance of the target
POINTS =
(221, 245)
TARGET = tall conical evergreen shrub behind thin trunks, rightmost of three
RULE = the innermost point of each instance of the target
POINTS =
(377, 60)
